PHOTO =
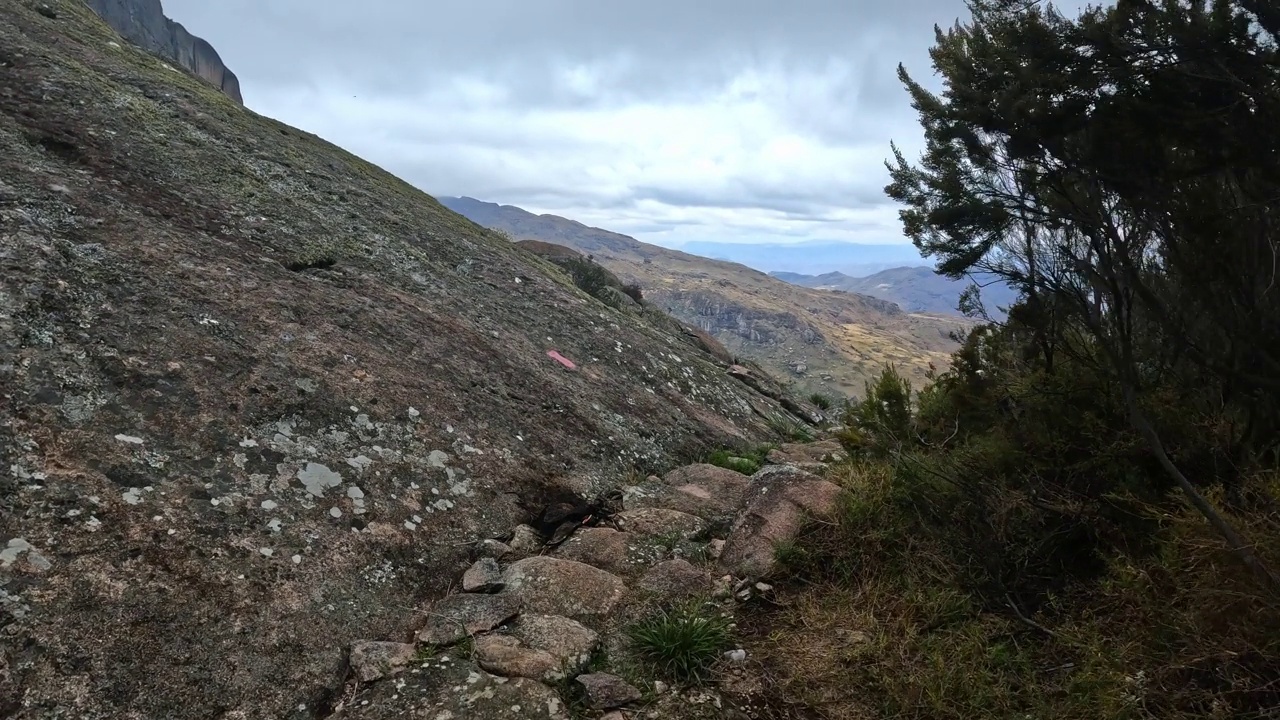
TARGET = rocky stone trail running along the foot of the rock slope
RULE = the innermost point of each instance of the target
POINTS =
(536, 627)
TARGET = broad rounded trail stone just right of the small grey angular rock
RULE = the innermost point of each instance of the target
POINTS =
(561, 587)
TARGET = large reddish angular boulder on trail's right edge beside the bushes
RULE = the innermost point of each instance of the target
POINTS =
(783, 499)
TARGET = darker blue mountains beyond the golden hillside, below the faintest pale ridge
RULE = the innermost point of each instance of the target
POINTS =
(916, 290)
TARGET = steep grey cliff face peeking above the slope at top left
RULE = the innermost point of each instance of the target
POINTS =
(144, 24)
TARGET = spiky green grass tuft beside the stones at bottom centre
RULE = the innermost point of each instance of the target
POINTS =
(683, 642)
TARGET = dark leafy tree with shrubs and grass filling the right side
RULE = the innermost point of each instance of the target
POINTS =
(1014, 546)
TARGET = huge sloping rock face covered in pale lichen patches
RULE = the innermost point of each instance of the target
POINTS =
(260, 400)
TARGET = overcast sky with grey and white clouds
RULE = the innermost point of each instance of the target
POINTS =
(673, 121)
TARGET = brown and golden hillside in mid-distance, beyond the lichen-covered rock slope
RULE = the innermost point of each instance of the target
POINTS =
(821, 341)
